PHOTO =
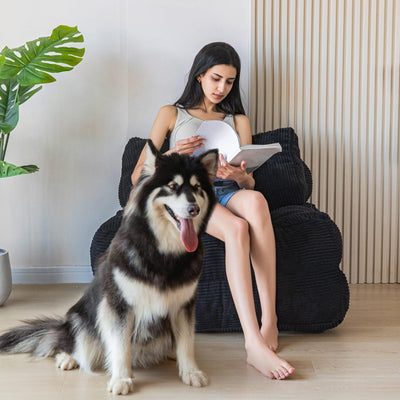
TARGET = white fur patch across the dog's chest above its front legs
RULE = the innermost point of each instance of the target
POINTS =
(149, 302)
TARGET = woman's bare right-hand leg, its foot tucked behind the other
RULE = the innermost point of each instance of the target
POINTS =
(253, 207)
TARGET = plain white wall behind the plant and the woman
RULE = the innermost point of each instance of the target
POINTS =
(138, 54)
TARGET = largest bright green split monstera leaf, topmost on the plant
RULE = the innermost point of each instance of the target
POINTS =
(33, 62)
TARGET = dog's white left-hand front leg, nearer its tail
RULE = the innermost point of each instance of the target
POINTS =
(117, 337)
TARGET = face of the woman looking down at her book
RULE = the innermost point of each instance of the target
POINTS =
(217, 82)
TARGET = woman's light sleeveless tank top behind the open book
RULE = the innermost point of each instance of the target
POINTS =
(186, 126)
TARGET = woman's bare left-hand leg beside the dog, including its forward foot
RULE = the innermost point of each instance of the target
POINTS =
(234, 231)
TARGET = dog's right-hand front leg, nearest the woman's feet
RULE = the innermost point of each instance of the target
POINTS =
(183, 328)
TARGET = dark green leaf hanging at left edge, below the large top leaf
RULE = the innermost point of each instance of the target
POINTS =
(9, 108)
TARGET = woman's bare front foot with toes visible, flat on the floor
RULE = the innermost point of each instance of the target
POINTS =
(267, 362)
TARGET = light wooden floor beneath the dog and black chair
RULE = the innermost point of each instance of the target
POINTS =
(360, 359)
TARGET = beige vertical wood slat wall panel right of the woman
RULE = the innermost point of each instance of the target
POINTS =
(331, 69)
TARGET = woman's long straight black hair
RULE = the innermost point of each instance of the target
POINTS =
(216, 53)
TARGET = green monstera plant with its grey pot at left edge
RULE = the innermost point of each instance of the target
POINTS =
(22, 72)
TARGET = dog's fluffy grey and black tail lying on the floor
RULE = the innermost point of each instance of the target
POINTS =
(40, 337)
